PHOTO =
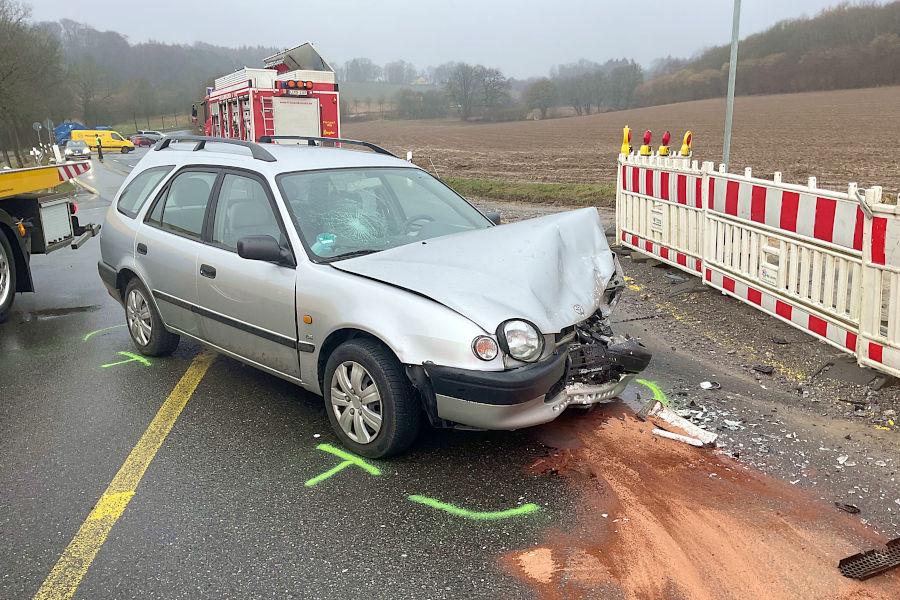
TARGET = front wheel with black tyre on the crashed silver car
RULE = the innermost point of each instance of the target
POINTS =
(370, 403)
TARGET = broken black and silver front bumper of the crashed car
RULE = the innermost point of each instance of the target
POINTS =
(538, 393)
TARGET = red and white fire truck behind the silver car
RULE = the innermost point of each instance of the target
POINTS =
(295, 94)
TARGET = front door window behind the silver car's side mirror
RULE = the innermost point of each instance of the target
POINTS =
(243, 209)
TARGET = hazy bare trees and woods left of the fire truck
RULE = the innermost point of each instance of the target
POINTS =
(68, 70)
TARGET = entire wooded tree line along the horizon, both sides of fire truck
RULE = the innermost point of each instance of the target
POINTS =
(67, 69)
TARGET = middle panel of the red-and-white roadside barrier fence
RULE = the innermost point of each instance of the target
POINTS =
(795, 250)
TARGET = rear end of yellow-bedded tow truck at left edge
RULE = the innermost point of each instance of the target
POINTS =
(36, 218)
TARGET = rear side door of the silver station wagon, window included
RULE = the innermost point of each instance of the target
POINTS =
(168, 241)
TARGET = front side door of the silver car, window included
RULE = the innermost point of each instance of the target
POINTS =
(247, 306)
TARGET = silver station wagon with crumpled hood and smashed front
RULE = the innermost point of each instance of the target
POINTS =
(362, 278)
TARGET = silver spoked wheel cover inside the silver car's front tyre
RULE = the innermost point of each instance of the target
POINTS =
(356, 402)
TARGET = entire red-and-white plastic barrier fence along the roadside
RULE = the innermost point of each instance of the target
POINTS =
(825, 262)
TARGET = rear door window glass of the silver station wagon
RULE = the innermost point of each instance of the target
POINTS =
(183, 208)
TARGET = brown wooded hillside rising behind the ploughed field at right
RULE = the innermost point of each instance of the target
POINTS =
(849, 46)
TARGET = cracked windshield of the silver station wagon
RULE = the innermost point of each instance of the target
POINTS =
(348, 212)
